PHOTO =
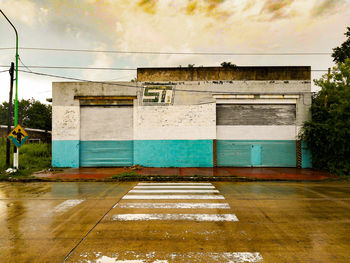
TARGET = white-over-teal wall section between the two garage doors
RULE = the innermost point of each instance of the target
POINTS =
(175, 136)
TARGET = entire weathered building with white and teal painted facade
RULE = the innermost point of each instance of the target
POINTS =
(184, 117)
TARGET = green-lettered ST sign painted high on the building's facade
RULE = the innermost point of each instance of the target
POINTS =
(157, 95)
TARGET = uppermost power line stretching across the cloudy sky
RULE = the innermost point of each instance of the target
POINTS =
(175, 53)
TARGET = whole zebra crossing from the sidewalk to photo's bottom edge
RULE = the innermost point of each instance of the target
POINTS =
(198, 208)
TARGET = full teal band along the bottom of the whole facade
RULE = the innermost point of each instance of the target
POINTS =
(177, 153)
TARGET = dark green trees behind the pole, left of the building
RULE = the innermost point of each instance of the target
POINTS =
(31, 113)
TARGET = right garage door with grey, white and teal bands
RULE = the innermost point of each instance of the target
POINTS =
(256, 135)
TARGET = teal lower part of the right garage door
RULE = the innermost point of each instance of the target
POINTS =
(244, 153)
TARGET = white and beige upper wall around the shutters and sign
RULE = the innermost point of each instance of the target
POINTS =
(191, 116)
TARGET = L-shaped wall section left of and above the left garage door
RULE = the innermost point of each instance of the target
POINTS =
(66, 117)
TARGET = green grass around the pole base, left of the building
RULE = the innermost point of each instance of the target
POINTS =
(32, 158)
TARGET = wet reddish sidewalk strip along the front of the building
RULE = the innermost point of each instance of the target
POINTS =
(215, 174)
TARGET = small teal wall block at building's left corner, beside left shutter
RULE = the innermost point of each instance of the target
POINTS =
(65, 153)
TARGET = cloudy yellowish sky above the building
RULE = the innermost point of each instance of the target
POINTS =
(234, 26)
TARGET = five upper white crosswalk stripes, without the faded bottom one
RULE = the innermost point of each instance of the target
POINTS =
(174, 191)
